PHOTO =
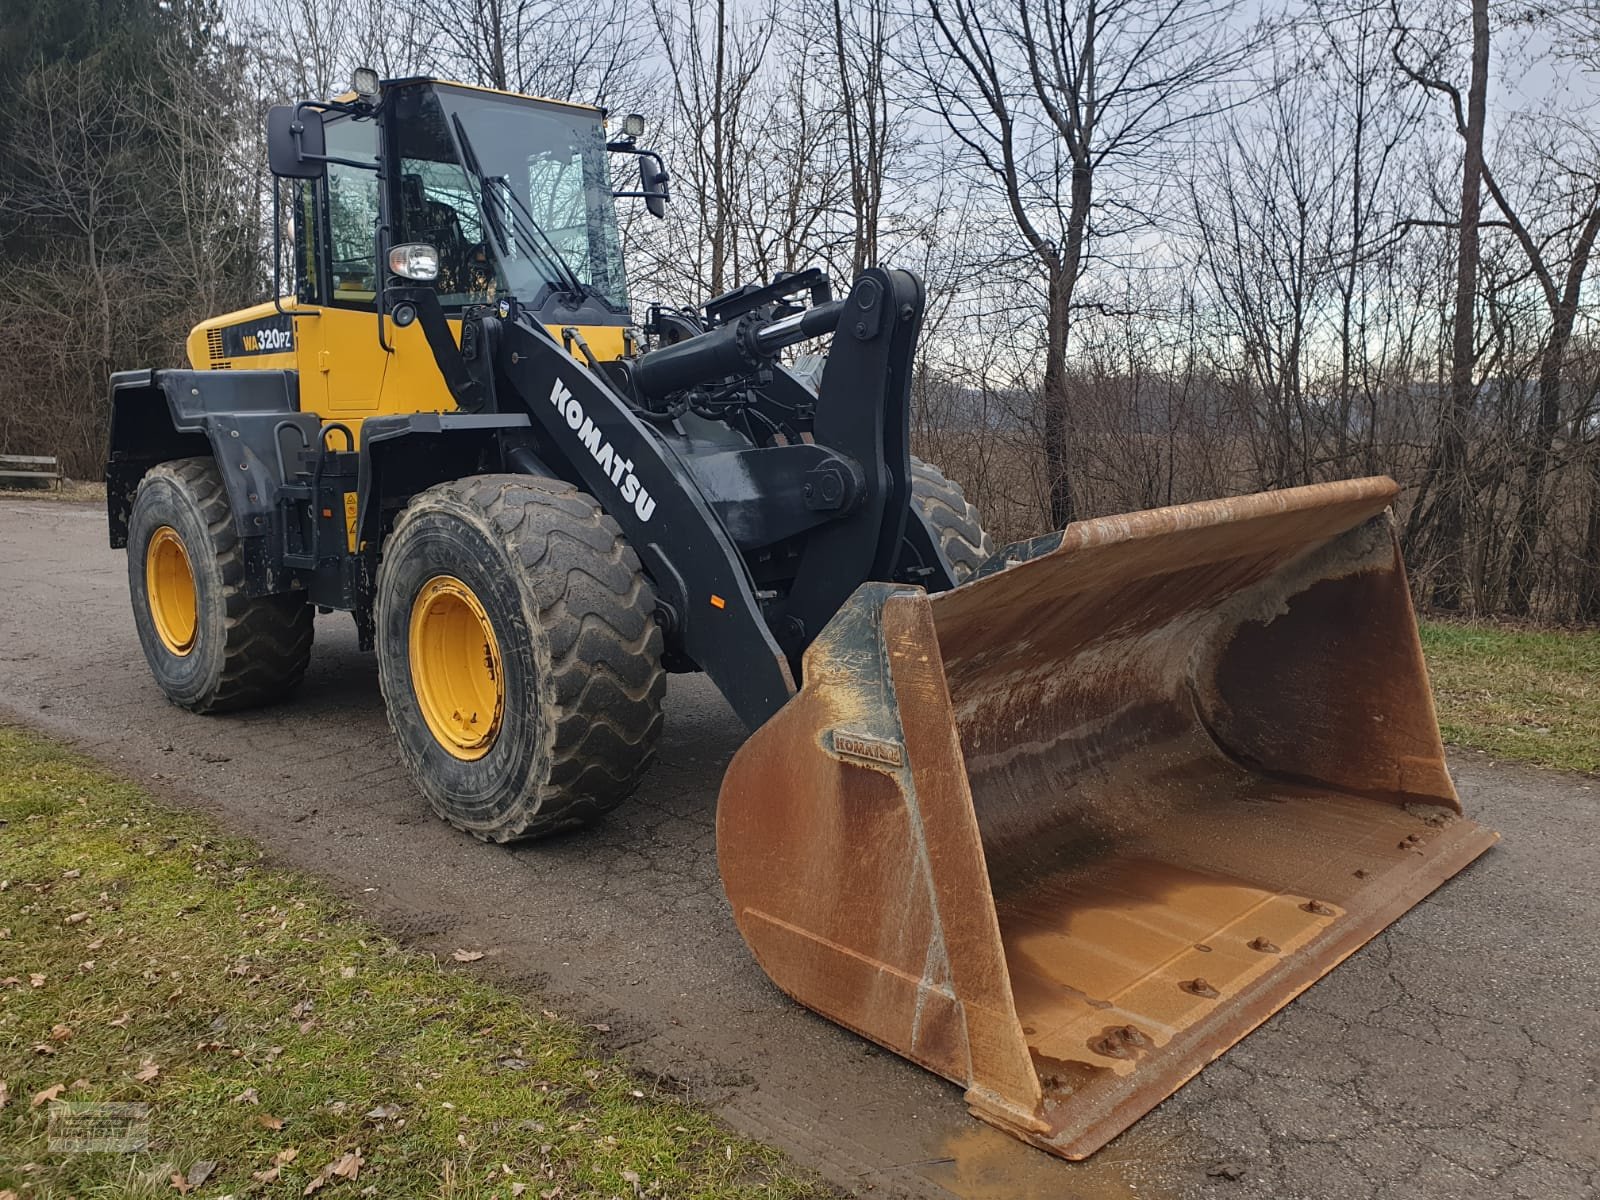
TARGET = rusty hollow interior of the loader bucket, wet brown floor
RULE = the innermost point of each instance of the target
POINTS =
(1193, 759)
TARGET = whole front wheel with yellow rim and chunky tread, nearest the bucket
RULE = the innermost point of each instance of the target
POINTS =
(570, 652)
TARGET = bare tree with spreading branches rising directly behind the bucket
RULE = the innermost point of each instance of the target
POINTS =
(1052, 100)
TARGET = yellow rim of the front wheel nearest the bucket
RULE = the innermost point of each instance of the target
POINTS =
(457, 668)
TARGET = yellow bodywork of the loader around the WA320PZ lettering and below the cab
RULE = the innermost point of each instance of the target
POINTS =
(345, 374)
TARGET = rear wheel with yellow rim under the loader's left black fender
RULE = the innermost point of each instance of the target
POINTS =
(212, 647)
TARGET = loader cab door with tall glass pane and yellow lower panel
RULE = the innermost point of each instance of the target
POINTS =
(342, 348)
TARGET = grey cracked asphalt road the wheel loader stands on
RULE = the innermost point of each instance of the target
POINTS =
(1455, 1057)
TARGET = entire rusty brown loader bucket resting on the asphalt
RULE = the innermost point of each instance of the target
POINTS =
(1070, 831)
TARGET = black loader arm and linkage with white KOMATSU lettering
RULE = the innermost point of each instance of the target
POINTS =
(814, 510)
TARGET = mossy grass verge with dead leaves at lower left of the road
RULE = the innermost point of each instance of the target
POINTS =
(134, 935)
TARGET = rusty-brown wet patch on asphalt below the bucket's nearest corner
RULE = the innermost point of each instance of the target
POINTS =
(991, 1166)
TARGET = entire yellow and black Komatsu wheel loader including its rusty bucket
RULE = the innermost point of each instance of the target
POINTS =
(1060, 823)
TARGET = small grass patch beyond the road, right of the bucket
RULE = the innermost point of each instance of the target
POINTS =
(1519, 694)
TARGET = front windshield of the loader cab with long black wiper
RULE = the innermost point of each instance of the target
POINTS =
(548, 193)
